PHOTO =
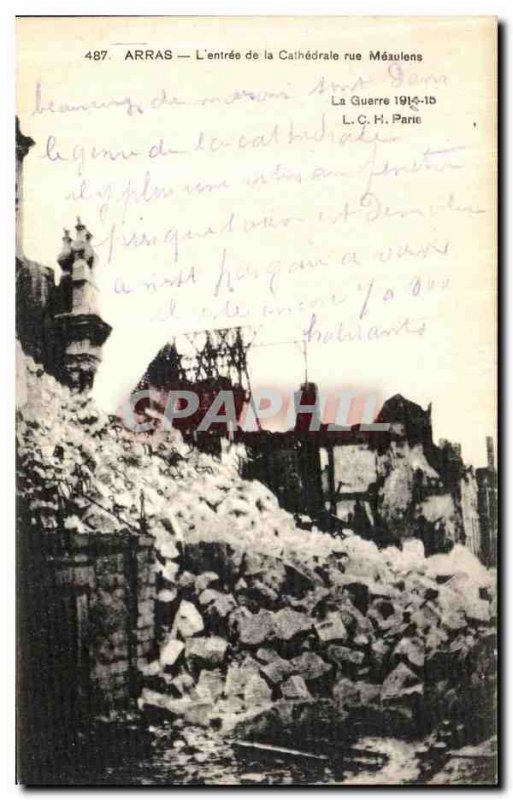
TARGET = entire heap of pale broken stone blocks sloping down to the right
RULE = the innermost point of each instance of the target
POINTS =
(265, 630)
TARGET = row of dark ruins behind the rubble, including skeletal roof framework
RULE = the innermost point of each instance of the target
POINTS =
(387, 485)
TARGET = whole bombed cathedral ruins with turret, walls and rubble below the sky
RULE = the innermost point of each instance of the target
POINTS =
(192, 601)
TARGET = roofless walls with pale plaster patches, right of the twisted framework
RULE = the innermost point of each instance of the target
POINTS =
(386, 485)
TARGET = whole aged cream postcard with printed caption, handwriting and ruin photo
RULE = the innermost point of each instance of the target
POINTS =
(265, 207)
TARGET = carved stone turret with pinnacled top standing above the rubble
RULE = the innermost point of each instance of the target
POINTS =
(78, 331)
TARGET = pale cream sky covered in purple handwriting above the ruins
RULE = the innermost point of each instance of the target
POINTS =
(231, 190)
